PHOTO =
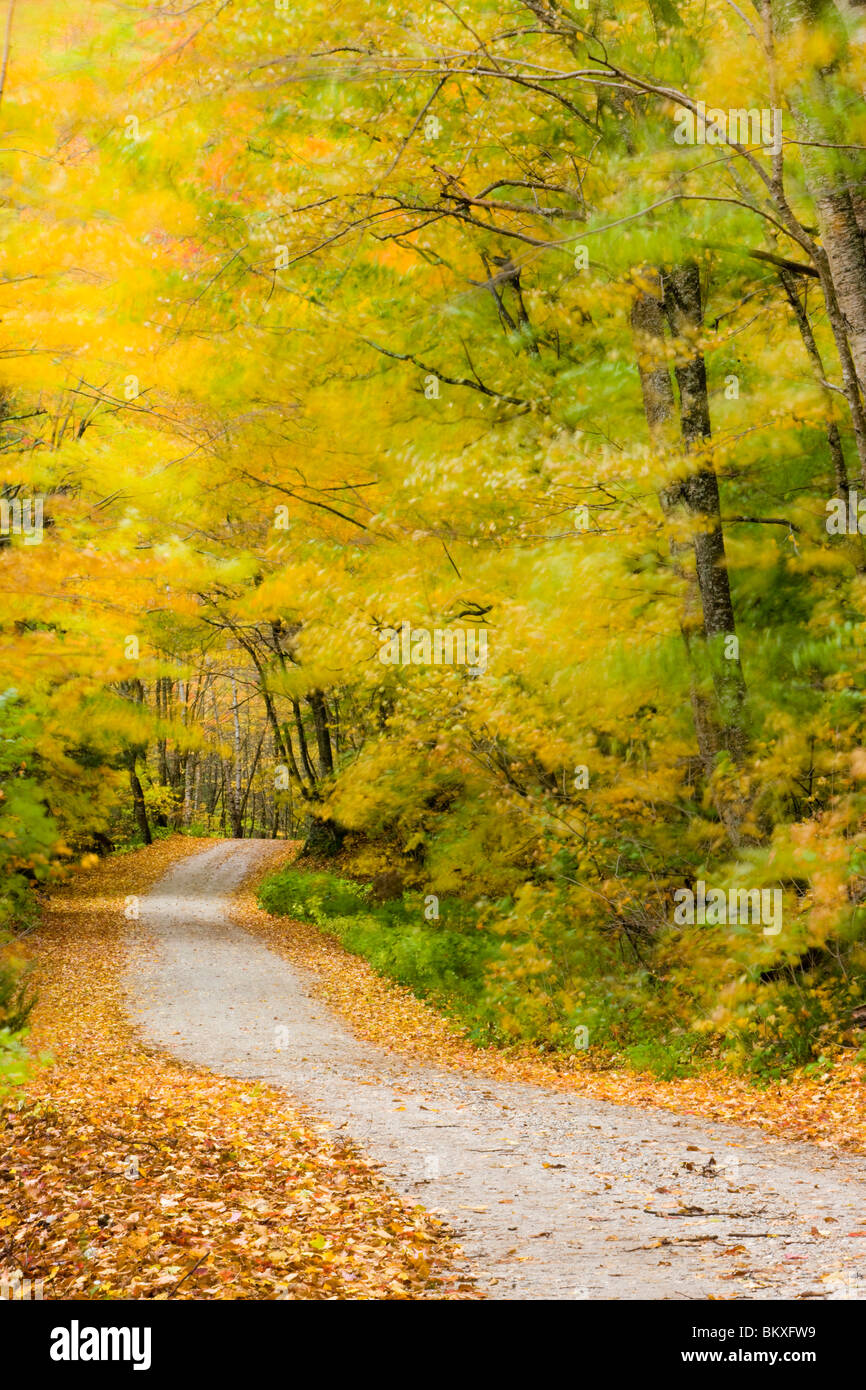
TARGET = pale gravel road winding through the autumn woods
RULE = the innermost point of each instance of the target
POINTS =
(551, 1191)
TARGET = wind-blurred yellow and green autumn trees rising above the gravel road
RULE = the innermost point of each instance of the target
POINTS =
(327, 330)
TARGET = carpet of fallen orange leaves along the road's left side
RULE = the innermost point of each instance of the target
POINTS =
(129, 1175)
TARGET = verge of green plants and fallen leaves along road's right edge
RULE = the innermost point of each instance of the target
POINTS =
(418, 988)
